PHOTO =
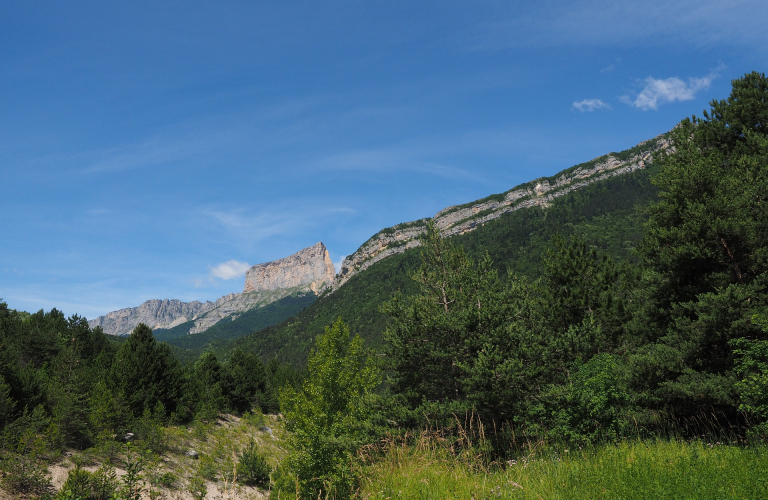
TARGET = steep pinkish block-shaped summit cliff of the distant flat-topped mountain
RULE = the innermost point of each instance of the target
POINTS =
(311, 266)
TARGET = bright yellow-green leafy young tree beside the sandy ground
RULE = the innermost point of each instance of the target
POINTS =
(328, 415)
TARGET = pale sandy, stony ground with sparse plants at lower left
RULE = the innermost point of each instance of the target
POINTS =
(230, 434)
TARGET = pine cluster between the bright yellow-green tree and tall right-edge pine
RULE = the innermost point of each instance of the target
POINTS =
(469, 337)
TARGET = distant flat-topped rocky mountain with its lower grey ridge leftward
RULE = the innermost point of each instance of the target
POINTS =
(308, 271)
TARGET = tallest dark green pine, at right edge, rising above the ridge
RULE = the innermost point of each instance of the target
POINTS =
(705, 254)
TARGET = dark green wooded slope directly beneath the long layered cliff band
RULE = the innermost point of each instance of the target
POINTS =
(608, 213)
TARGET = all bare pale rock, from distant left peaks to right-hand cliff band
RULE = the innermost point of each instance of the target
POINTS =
(311, 269)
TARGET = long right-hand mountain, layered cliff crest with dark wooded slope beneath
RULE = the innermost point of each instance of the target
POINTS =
(602, 200)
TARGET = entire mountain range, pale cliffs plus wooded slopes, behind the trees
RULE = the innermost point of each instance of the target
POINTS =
(597, 199)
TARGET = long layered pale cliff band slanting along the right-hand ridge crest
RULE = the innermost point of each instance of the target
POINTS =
(460, 219)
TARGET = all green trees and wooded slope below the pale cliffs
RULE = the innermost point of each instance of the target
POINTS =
(635, 308)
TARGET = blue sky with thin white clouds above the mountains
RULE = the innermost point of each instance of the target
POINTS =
(154, 149)
